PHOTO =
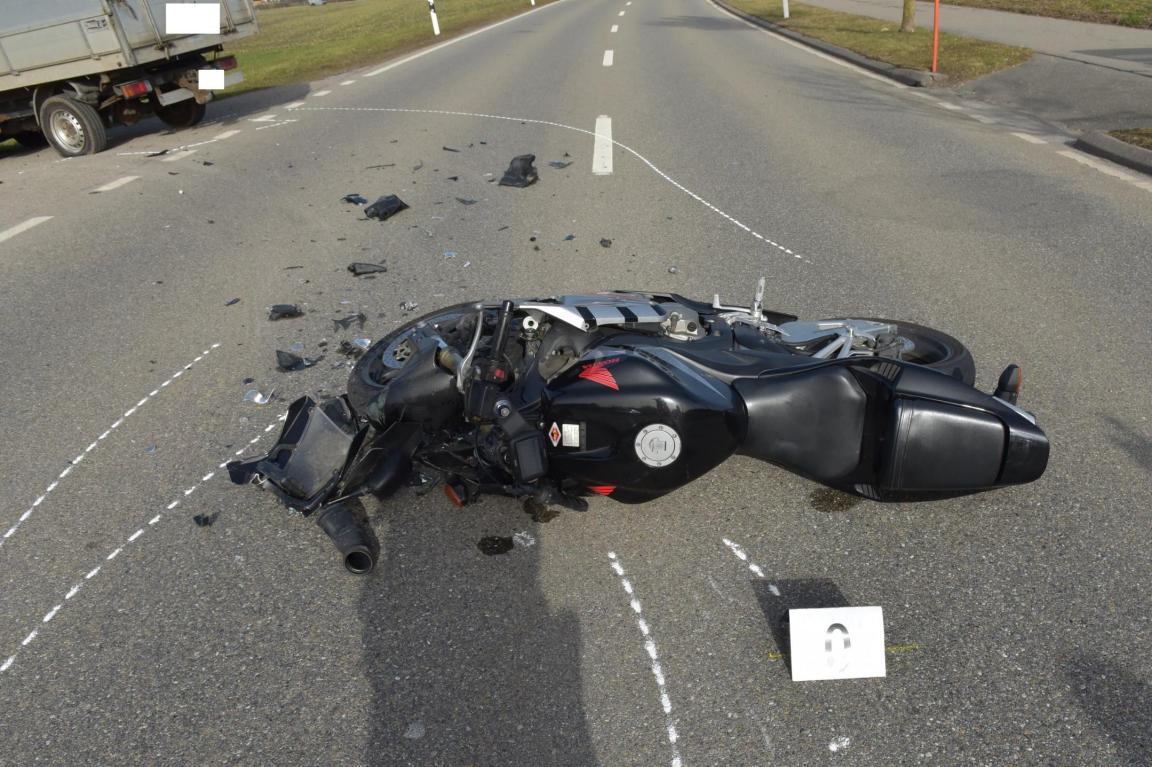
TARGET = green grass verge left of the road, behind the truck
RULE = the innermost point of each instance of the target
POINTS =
(304, 43)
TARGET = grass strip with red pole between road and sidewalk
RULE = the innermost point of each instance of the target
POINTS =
(961, 58)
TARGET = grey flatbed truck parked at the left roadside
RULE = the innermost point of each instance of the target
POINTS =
(71, 70)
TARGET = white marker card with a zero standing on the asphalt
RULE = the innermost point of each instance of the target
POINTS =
(837, 643)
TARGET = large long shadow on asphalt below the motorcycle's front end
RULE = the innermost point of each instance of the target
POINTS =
(468, 664)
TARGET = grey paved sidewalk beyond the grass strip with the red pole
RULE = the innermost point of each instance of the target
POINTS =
(1085, 77)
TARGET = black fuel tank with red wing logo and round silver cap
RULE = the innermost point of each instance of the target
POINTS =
(636, 423)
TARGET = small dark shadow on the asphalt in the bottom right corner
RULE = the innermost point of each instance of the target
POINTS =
(1118, 702)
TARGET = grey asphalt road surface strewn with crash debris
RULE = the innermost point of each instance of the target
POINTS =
(1017, 621)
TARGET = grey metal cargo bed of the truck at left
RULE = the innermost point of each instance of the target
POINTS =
(49, 41)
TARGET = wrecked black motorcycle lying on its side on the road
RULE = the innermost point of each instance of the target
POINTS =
(632, 396)
